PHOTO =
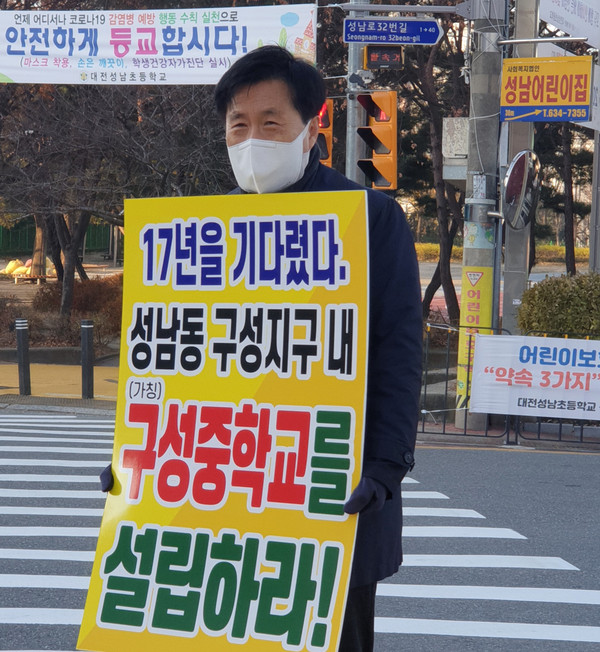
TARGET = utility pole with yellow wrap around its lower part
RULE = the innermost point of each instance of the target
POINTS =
(481, 192)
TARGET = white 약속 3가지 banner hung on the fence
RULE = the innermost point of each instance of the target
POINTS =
(536, 376)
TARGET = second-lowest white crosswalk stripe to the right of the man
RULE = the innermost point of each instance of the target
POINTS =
(511, 593)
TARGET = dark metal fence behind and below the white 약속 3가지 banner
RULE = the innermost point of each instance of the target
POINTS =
(440, 415)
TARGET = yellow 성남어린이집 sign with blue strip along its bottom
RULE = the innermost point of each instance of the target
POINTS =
(546, 90)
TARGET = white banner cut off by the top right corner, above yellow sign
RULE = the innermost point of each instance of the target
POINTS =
(575, 17)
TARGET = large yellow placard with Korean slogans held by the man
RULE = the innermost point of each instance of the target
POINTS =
(239, 427)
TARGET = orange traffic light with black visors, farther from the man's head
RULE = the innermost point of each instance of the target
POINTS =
(381, 136)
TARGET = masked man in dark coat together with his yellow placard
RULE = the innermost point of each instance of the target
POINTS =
(233, 463)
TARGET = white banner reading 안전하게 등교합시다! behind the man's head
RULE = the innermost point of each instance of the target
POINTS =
(179, 46)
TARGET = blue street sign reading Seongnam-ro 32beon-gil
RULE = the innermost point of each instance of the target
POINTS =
(409, 31)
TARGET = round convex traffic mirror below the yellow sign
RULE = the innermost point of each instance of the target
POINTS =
(521, 189)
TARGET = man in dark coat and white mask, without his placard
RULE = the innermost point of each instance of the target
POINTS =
(270, 103)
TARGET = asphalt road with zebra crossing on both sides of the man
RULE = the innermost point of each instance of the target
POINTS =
(501, 544)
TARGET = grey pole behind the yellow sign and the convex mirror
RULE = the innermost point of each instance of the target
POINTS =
(520, 137)
